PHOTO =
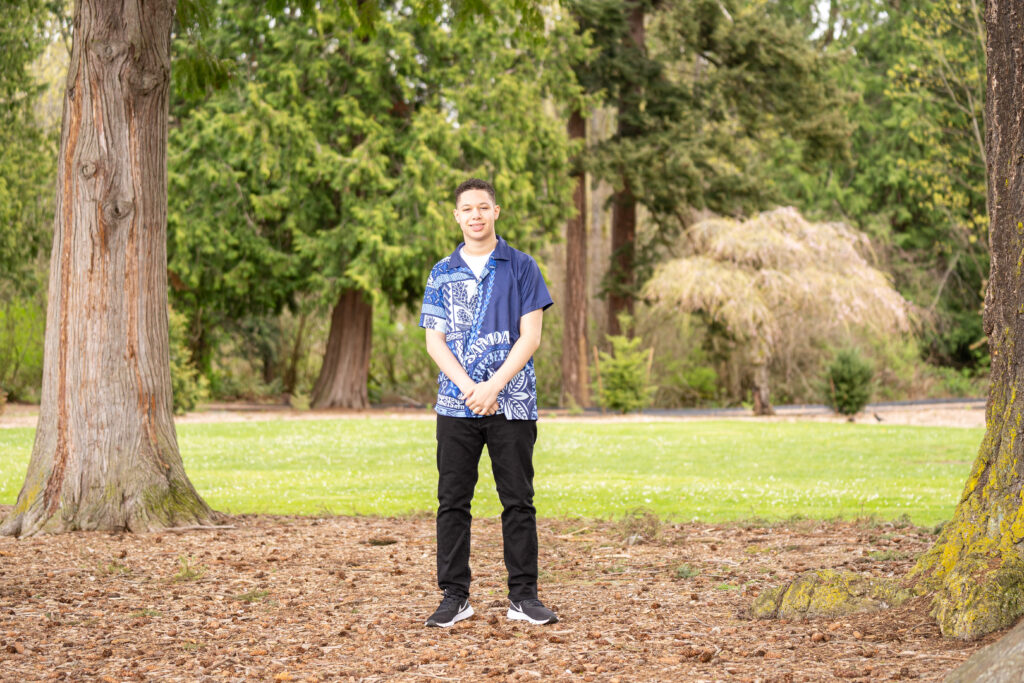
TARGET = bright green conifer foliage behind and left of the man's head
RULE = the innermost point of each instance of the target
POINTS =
(328, 163)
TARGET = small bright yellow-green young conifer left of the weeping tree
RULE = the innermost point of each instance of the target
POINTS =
(623, 377)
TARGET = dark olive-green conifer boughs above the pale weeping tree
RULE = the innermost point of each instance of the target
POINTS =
(701, 106)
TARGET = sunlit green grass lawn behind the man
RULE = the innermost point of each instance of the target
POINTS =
(712, 472)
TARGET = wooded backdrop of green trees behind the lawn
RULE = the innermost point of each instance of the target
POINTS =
(312, 164)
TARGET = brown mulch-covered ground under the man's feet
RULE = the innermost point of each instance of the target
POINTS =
(337, 599)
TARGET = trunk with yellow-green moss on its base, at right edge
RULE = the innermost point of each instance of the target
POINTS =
(976, 567)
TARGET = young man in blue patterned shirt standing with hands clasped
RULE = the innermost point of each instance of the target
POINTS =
(483, 314)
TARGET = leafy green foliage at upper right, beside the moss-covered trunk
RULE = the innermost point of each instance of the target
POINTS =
(916, 177)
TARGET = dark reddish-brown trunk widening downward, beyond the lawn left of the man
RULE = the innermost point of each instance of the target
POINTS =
(343, 382)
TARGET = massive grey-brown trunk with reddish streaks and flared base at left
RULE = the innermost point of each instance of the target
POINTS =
(106, 455)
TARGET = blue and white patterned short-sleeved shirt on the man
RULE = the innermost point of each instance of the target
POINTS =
(481, 322)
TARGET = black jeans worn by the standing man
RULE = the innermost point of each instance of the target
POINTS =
(510, 445)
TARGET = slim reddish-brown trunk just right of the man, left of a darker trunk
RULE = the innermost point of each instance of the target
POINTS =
(575, 382)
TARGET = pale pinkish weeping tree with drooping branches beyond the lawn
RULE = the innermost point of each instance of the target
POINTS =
(779, 282)
